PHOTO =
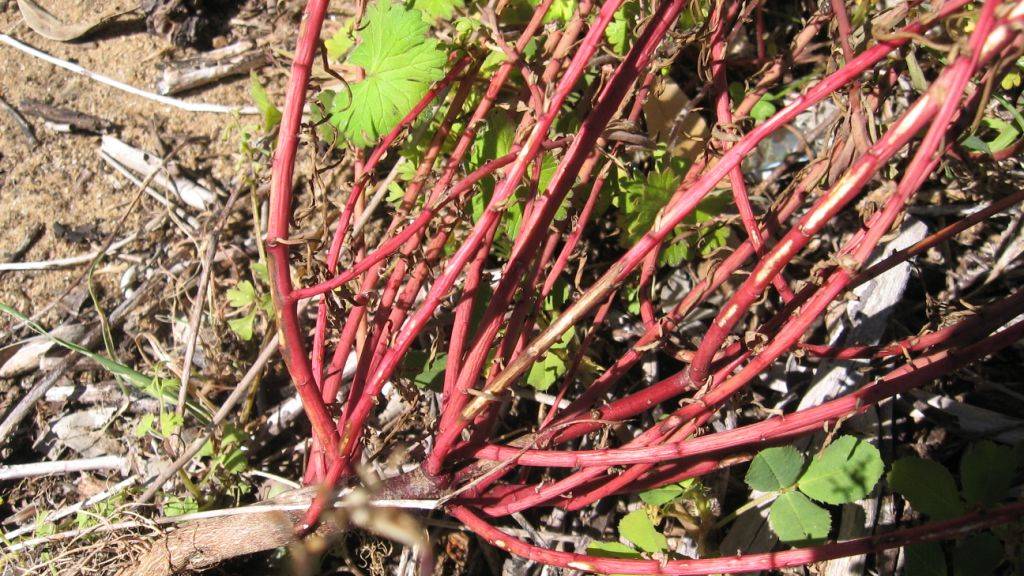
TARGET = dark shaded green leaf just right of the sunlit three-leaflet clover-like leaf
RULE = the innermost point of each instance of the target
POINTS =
(929, 487)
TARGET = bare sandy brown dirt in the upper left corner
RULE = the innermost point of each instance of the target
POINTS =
(64, 180)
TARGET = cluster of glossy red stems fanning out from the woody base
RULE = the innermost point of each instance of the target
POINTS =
(385, 284)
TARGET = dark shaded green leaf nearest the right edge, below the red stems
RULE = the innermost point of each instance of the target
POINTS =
(988, 473)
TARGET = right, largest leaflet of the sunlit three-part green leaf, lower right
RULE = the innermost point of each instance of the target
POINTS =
(844, 472)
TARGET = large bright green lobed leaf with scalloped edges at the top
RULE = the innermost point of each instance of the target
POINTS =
(400, 62)
